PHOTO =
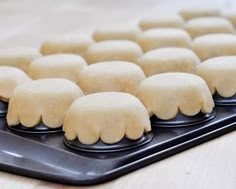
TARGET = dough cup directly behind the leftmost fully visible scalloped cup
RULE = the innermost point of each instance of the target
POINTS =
(67, 66)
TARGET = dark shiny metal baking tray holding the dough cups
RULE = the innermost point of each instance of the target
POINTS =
(45, 156)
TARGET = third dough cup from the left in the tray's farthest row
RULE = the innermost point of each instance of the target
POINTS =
(117, 34)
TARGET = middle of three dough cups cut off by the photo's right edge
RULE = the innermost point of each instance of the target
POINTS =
(213, 45)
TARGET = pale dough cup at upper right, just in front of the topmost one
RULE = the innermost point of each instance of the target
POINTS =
(206, 25)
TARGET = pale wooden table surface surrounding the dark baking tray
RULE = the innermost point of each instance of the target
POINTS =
(28, 23)
